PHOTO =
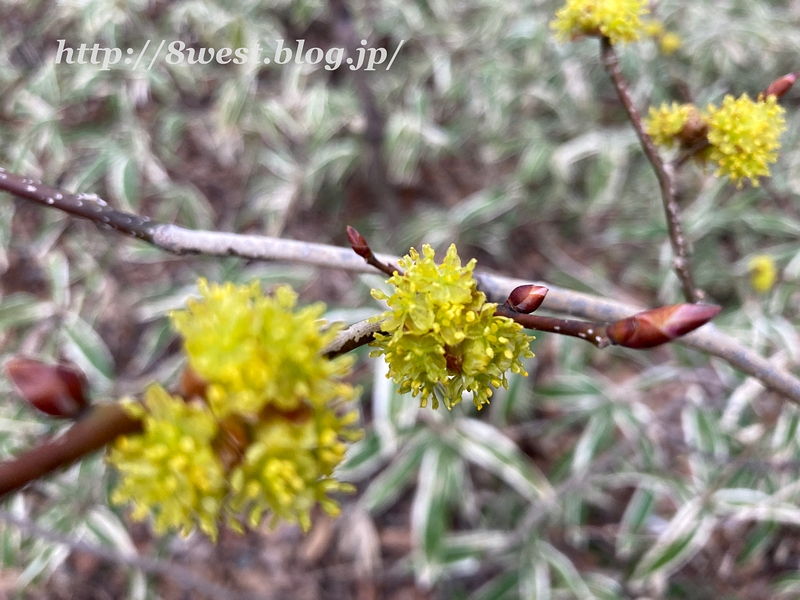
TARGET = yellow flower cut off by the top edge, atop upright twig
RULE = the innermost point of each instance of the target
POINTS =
(618, 20)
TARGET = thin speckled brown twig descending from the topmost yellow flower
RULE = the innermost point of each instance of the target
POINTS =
(665, 173)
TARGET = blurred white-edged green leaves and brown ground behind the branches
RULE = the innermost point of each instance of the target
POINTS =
(607, 474)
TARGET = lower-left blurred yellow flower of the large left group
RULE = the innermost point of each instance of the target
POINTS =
(170, 470)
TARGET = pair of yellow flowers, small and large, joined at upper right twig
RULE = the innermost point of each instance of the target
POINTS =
(743, 134)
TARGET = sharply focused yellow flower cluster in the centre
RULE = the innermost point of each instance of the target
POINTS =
(439, 332)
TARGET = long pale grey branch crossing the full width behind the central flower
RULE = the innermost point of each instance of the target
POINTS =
(178, 240)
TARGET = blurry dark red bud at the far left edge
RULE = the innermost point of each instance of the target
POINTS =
(57, 390)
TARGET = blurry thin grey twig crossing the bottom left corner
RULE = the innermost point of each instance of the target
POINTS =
(180, 575)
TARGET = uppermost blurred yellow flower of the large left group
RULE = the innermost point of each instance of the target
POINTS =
(256, 351)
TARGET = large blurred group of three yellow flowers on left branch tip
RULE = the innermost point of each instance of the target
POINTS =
(265, 434)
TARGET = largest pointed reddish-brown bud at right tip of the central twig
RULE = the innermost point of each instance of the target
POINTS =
(660, 325)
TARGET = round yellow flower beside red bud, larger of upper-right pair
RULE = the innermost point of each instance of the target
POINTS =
(745, 136)
